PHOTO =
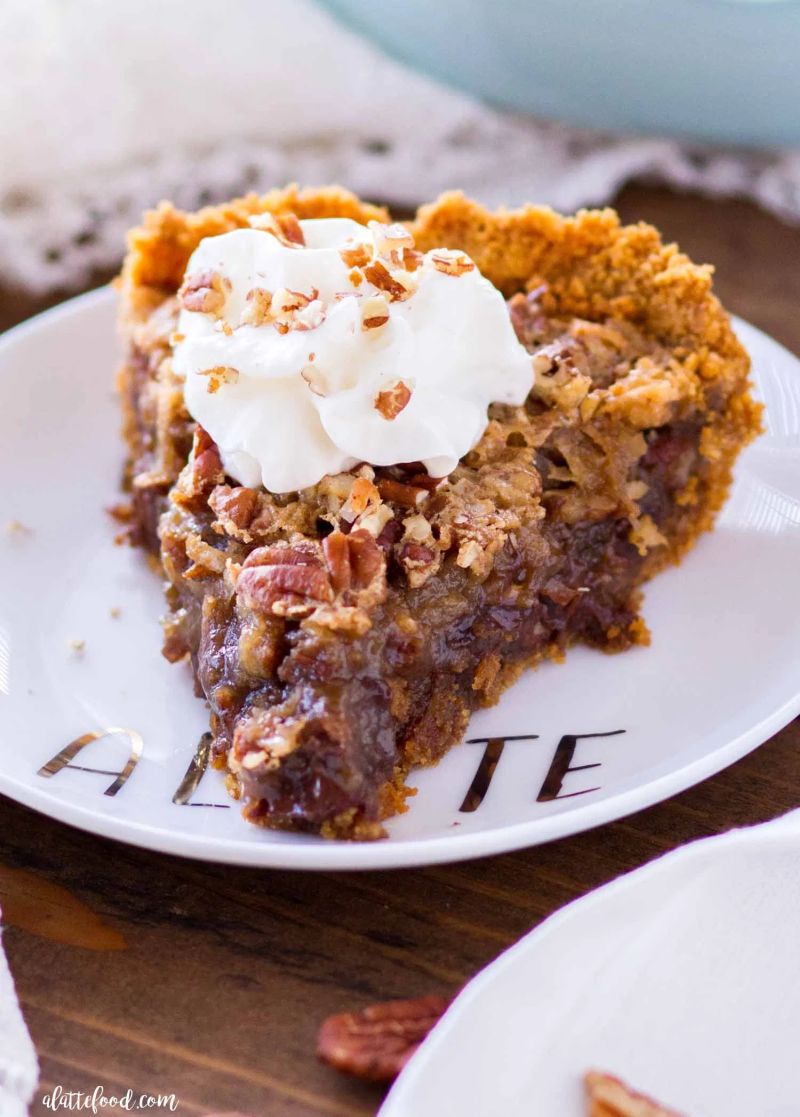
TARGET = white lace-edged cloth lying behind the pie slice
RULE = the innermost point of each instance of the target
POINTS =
(100, 119)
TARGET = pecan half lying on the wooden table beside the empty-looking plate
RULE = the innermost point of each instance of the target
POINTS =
(378, 1043)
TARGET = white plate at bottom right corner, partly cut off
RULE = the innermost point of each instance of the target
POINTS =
(682, 978)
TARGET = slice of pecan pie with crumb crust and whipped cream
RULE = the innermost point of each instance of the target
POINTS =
(344, 632)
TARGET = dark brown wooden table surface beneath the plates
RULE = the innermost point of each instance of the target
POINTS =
(168, 977)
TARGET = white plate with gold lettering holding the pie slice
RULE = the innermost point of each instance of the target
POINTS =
(722, 674)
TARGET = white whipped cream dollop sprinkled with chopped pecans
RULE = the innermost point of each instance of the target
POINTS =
(310, 347)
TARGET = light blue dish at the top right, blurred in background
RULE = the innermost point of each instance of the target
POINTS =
(718, 70)
